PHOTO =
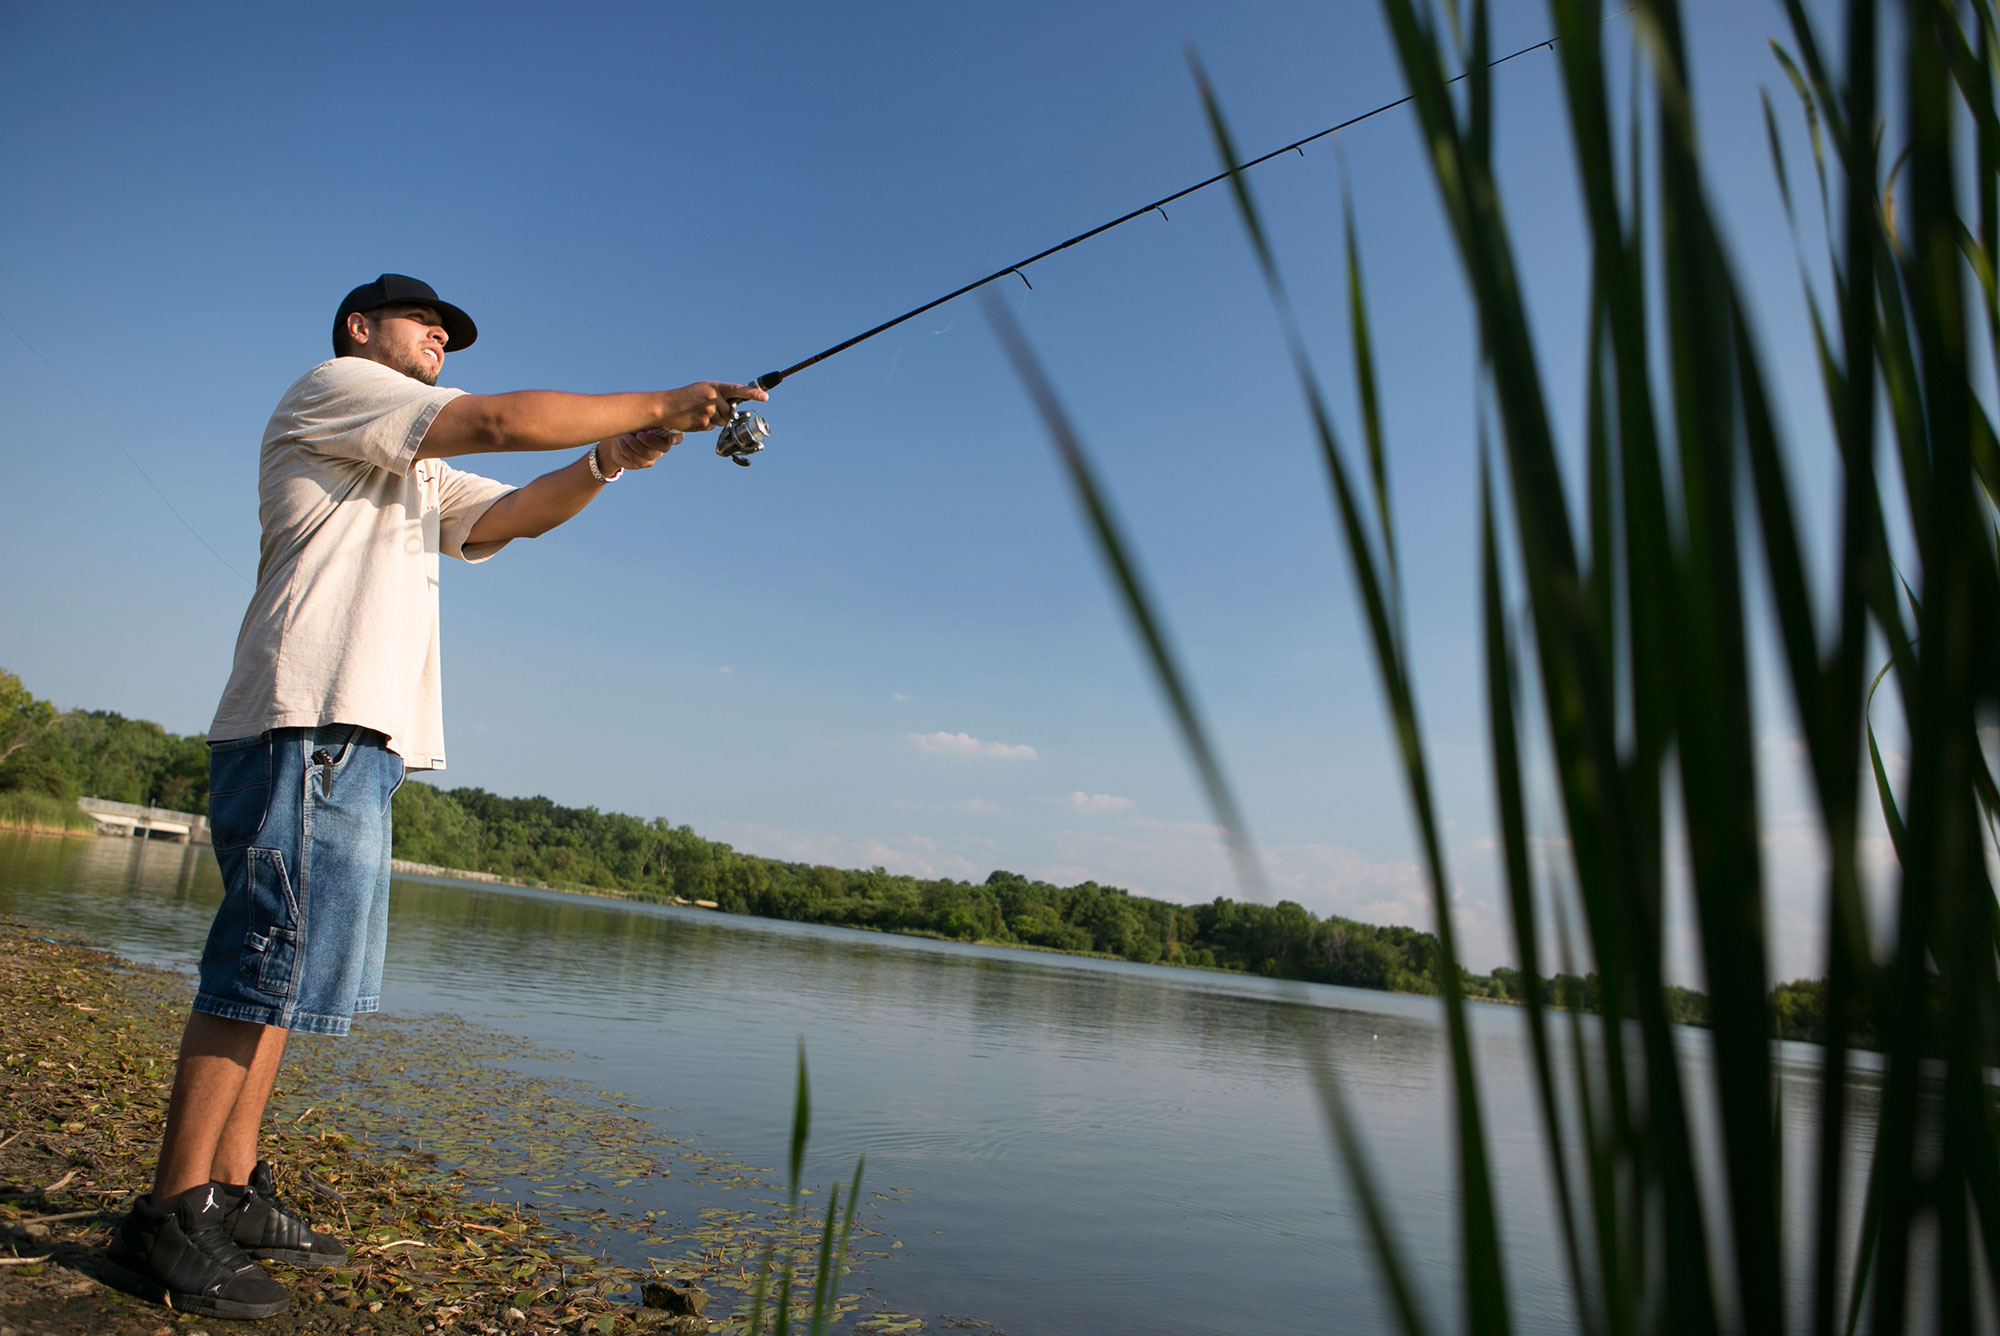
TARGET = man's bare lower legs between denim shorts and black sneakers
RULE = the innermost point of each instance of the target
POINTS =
(221, 1087)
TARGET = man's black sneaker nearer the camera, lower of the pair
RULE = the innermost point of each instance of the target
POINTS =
(183, 1255)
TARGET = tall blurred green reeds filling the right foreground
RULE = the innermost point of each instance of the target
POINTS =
(1637, 643)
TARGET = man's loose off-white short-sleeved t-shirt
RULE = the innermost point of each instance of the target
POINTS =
(343, 627)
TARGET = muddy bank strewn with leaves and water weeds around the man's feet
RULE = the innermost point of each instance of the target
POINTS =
(85, 1071)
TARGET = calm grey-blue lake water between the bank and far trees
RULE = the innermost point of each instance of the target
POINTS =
(1085, 1147)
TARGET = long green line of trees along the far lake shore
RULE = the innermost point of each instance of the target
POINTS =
(97, 753)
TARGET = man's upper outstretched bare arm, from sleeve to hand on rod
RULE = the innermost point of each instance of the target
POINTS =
(555, 421)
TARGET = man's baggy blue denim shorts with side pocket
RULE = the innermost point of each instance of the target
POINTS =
(301, 821)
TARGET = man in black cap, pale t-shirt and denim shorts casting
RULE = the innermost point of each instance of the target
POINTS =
(333, 697)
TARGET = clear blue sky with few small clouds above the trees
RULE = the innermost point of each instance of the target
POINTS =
(887, 643)
